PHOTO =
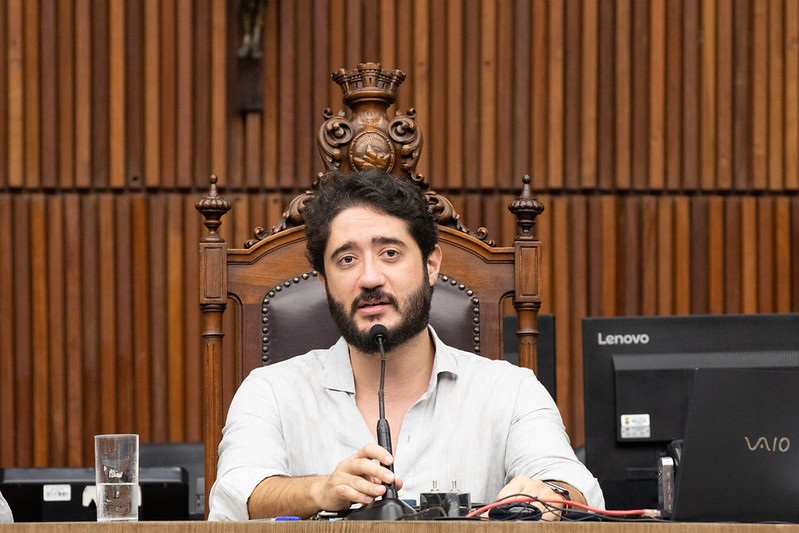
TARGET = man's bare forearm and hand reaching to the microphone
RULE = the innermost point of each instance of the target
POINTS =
(357, 479)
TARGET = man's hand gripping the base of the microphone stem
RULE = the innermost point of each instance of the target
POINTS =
(356, 479)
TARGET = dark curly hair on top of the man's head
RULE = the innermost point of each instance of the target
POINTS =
(375, 189)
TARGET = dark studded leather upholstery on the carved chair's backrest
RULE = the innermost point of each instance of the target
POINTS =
(299, 304)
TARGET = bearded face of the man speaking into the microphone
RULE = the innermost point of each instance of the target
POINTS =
(375, 274)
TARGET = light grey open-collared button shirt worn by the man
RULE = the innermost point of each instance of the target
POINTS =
(481, 423)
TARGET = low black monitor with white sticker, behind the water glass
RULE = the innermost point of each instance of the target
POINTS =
(68, 494)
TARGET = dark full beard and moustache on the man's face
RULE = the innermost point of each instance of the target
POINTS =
(415, 316)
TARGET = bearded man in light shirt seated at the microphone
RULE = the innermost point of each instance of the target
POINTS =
(300, 434)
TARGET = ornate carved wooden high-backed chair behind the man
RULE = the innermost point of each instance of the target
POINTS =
(262, 303)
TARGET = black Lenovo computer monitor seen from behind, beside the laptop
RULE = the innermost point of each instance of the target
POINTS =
(638, 375)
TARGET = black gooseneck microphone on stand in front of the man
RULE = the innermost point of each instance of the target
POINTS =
(390, 507)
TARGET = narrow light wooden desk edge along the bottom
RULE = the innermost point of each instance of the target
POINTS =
(391, 527)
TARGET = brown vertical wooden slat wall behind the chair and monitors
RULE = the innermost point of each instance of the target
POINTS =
(662, 138)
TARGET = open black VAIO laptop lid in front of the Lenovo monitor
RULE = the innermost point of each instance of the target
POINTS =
(739, 459)
